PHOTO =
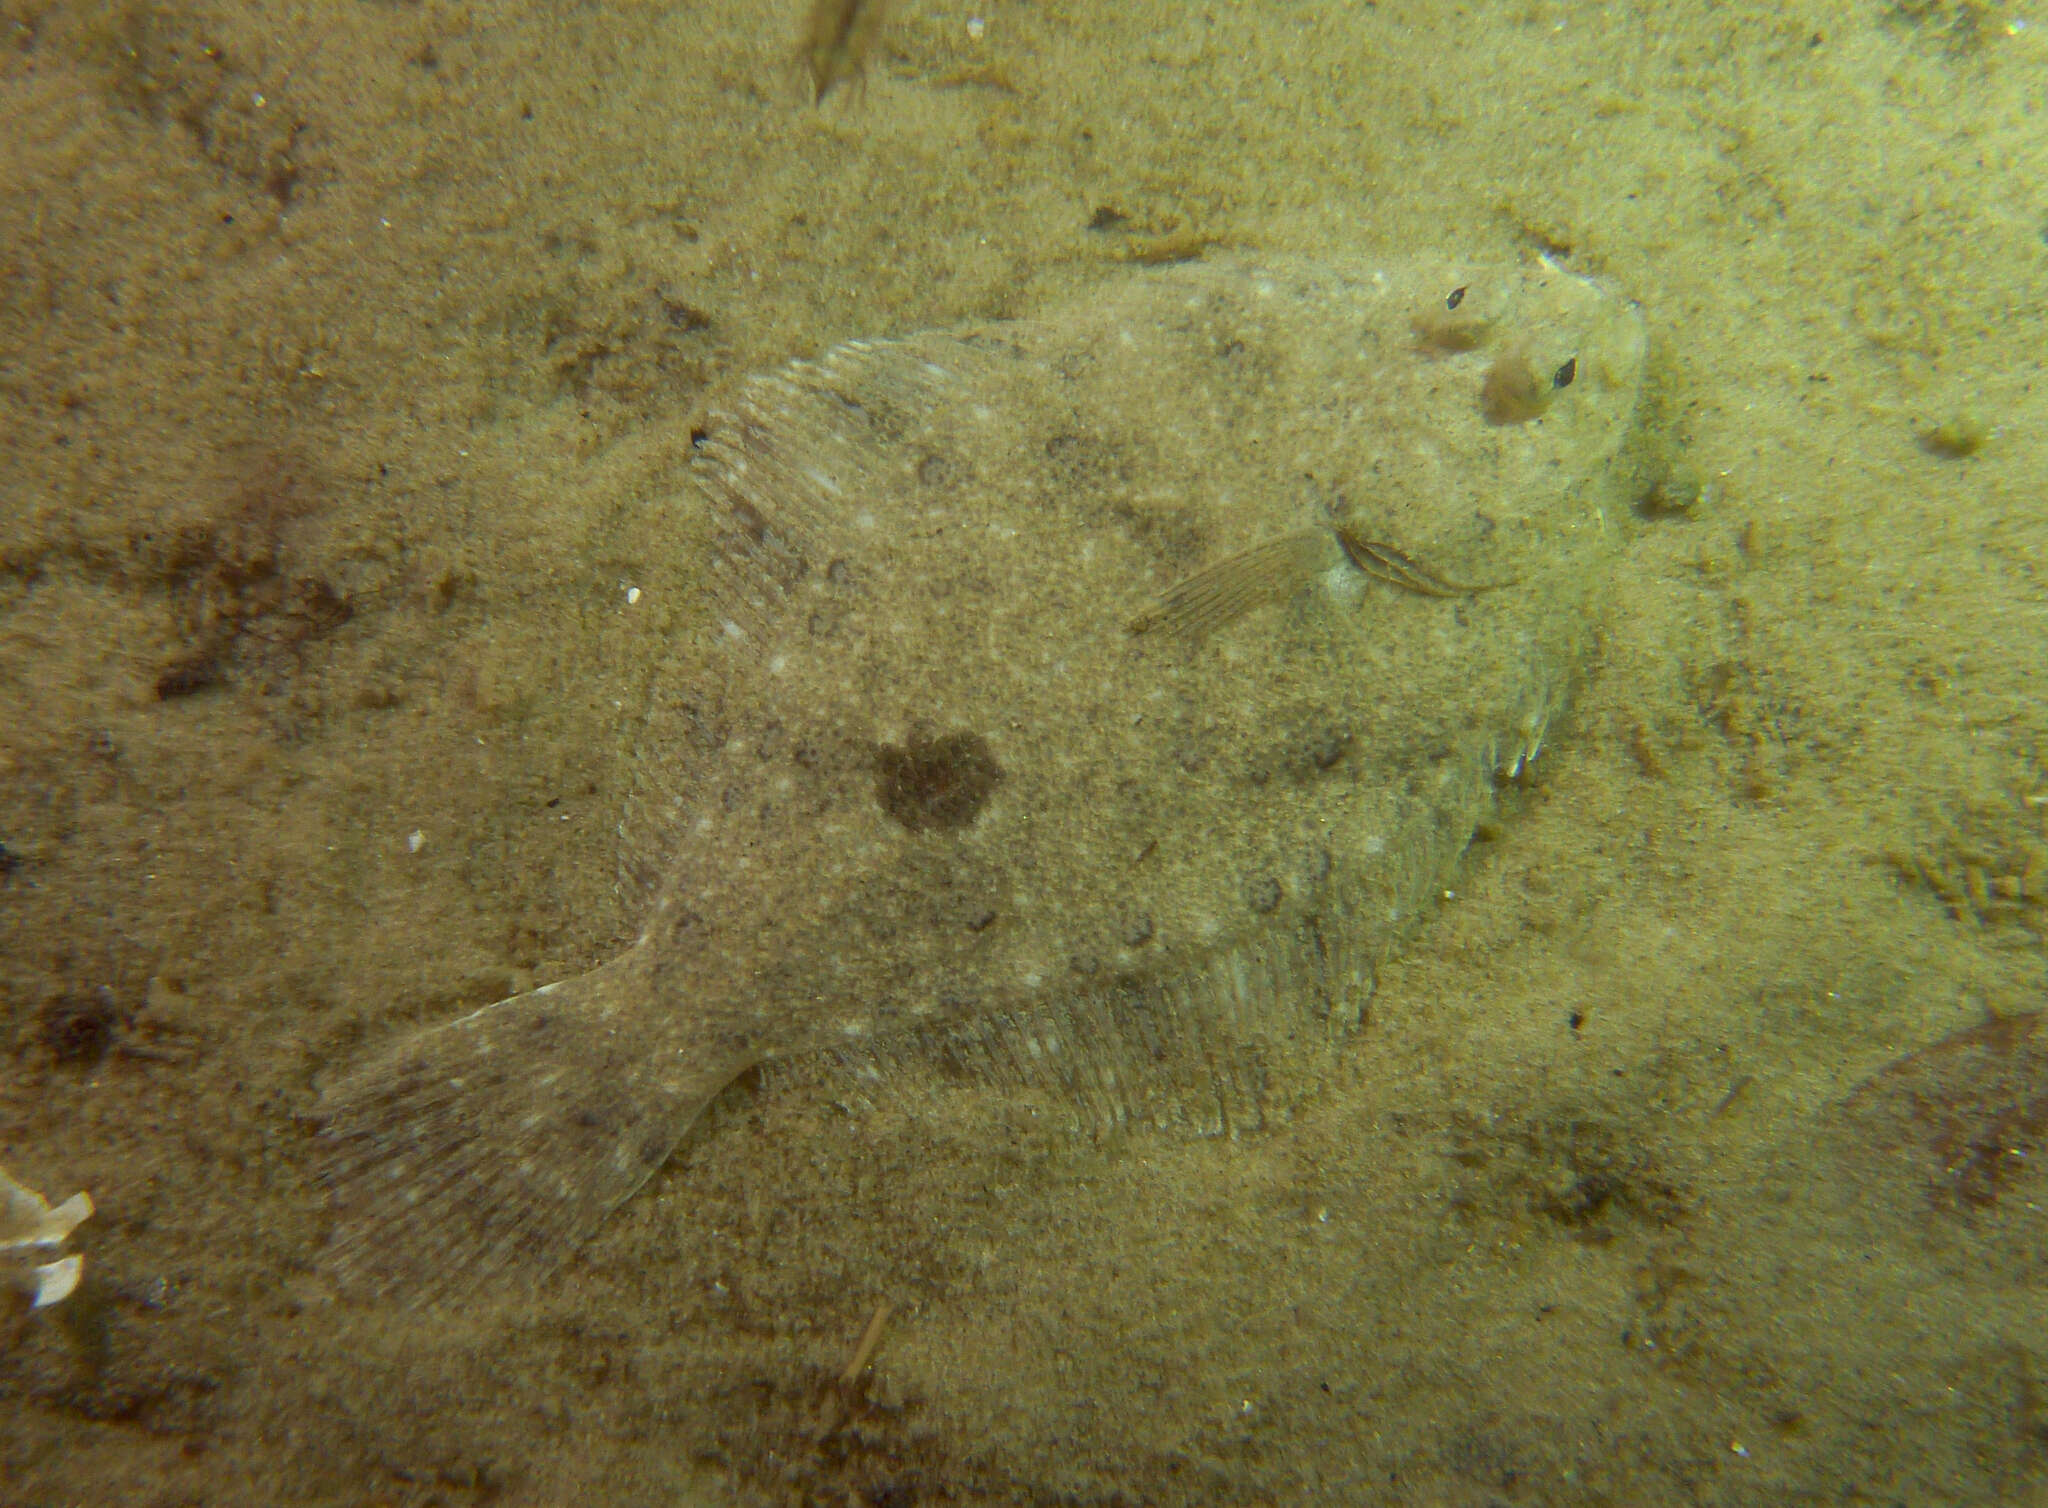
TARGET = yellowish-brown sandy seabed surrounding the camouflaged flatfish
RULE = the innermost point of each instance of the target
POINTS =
(347, 366)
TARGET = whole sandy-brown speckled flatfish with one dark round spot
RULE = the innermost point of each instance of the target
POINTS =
(1101, 698)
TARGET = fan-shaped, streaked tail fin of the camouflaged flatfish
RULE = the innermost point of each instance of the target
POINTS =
(499, 1142)
